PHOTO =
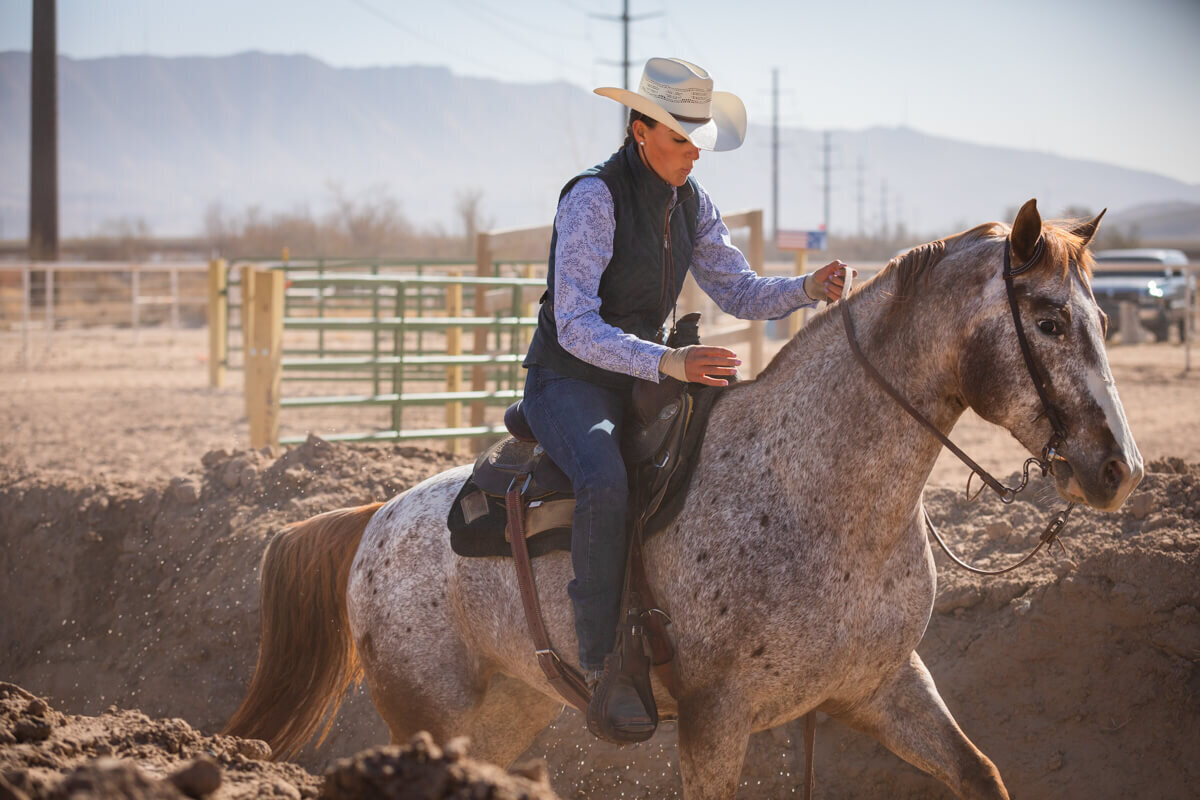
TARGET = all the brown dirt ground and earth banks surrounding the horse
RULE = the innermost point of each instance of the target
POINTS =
(134, 520)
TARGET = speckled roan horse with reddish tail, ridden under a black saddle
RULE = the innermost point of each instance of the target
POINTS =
(799, 574)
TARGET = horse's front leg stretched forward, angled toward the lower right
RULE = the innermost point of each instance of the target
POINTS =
(909, 717)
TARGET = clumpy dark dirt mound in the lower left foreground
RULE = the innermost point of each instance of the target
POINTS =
(53, 756)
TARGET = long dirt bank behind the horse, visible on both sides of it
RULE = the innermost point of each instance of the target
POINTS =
(1078, 675)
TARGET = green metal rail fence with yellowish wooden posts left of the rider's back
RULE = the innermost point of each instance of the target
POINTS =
(267, 360)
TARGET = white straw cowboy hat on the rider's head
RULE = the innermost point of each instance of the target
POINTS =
(681, 95)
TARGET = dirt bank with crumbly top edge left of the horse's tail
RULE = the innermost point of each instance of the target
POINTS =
(147, 597)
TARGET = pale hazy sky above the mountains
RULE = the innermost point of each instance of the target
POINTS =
(1114, 81)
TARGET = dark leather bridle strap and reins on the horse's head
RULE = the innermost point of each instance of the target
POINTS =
(1049, 453)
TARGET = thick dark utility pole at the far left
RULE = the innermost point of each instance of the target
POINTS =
(44, 137)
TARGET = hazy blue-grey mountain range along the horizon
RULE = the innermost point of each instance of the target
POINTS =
(163, 140)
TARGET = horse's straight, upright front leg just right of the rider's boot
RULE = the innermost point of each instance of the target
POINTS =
(715, 730)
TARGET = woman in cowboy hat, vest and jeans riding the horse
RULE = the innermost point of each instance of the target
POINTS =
(626, 237)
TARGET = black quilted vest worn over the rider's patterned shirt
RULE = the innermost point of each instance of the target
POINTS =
(643, 282)
